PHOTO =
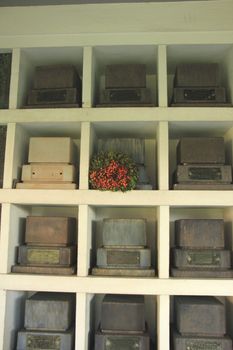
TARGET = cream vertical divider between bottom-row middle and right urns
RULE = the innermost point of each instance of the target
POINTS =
(163, 322)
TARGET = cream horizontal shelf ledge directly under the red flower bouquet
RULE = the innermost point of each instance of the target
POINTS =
(131, 198)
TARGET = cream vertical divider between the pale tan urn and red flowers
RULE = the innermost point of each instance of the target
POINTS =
(86, 148)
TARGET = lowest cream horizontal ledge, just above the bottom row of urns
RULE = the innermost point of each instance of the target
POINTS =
(146, 286)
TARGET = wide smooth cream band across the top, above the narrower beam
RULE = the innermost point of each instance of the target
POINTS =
(122, 18)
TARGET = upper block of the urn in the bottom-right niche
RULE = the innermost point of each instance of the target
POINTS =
(203, 316)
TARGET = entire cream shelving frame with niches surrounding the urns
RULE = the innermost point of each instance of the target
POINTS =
(91, 36)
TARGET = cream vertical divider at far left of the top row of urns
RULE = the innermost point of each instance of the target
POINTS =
(14, 82)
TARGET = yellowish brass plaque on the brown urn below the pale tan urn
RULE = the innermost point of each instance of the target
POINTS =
(45, 256)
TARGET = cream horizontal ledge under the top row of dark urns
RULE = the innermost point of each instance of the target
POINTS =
(130, 114)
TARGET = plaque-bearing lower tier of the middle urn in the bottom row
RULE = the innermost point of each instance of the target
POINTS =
(122, 341)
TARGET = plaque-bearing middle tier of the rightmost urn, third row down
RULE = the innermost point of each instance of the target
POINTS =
(201, 258)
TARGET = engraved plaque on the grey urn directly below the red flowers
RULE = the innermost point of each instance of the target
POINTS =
(123, 258)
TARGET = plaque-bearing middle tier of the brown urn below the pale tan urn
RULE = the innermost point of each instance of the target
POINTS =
(47, 256)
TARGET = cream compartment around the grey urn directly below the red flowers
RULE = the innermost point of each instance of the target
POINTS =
(91, 226)
